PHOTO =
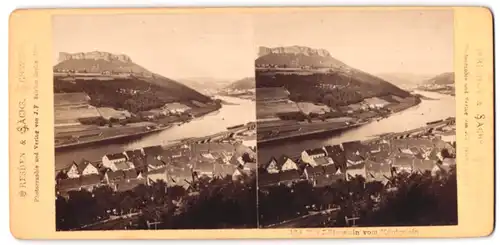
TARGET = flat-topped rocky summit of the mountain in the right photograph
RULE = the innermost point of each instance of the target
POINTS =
(296, 57)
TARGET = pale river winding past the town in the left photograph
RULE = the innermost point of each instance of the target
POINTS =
(238, 111)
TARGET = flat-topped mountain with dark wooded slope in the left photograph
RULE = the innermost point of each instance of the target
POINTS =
(116, 81)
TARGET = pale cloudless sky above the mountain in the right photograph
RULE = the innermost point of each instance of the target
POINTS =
(409, 41)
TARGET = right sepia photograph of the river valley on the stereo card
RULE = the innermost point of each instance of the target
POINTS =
(355, 118)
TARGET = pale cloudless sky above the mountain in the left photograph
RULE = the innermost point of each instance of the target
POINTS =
(214, 45)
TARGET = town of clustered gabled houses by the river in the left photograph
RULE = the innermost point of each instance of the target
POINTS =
(214, 157)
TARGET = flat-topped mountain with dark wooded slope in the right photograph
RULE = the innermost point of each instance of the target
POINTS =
(337, 85)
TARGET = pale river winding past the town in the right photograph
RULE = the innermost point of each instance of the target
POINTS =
(440, 107)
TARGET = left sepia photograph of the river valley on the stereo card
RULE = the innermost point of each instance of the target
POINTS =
(154, 120)
